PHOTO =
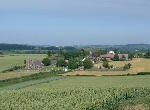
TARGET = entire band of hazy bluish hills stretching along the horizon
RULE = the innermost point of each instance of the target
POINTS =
(129, 47)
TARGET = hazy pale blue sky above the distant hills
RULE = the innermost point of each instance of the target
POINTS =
(75, 22)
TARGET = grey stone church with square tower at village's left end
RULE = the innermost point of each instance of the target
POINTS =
(34, 64)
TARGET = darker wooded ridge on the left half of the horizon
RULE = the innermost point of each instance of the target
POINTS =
(32, 47)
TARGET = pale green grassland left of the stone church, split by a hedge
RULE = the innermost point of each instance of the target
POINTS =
(8, 61)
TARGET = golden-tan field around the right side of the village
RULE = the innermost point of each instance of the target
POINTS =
(138, 65)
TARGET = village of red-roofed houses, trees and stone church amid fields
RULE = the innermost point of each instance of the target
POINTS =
(78, 60)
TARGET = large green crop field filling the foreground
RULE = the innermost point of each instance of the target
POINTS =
(81, 93)
